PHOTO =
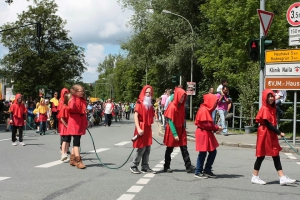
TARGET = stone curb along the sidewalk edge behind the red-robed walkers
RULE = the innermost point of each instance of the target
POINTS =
(285, 149)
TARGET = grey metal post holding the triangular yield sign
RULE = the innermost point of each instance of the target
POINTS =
(262, 53)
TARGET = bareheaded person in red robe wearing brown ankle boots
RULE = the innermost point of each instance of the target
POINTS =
(77, 123)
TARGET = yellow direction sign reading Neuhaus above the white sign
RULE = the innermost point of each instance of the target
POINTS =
(282, 55)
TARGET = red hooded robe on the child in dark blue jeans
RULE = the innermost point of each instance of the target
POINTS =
(205, 139)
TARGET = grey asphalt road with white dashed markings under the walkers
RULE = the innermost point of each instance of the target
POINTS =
(34, 171)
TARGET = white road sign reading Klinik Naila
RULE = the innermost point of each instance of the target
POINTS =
(286, 69)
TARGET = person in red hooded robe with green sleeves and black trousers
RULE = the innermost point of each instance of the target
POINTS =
(175, 133)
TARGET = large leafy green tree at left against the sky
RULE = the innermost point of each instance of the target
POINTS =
(51, 60)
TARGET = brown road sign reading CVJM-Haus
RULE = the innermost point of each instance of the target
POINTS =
(282, 83)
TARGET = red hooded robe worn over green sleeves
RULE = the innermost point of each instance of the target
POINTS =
(176, 113)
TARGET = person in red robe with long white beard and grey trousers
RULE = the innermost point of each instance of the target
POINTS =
(142, 140)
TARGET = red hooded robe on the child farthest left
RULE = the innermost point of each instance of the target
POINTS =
(18, 110)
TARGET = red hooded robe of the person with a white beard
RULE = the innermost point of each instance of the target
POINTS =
(146, 120)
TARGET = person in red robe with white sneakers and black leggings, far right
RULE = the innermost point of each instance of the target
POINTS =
(267, 140)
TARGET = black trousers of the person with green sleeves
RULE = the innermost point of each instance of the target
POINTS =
(185, 155)
